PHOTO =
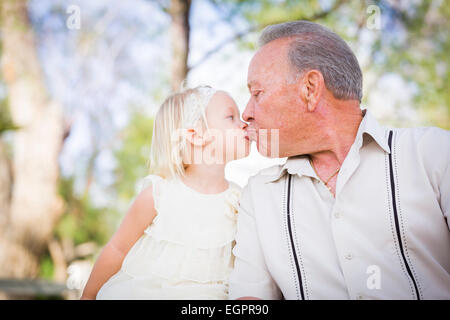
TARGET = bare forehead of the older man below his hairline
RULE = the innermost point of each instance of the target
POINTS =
(269, 59)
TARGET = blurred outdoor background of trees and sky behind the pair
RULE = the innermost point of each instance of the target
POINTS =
(77, 105)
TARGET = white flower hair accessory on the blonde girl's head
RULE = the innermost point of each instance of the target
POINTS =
(196, 104)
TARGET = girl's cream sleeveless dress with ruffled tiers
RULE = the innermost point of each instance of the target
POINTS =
(186, 252)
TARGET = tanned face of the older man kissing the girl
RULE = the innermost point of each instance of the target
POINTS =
(274, 103)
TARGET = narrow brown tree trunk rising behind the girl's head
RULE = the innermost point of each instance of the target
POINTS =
(179, 13)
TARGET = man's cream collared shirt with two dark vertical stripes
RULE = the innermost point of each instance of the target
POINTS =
(385, 235)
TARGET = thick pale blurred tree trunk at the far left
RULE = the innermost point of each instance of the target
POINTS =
(35, 205)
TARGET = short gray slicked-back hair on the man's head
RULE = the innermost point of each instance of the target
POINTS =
(316, 47)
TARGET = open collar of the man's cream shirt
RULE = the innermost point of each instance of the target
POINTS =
(300, 164)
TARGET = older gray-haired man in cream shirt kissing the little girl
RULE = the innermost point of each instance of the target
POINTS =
(358, 211)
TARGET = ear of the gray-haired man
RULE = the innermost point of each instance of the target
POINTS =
(312, 86)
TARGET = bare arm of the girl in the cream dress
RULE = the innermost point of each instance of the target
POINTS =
(137, 219)
